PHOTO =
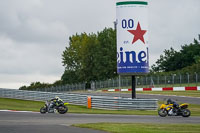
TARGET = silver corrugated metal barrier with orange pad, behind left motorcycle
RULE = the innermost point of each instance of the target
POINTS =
(101, 102)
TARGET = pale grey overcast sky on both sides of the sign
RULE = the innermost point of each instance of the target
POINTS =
(34, 33)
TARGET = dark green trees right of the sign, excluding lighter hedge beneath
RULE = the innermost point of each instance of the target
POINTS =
(173, 60)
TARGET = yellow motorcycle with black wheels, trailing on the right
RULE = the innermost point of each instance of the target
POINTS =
(172, 110)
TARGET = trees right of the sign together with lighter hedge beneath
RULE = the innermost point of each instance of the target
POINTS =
(187, 60)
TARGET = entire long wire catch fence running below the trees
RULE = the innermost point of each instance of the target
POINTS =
(173, 80)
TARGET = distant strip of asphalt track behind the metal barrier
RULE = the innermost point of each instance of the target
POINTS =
(179, 99)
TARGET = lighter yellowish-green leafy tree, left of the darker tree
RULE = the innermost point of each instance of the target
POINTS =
(78, 58)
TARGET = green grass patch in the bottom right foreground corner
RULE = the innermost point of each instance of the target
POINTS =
(142, 127)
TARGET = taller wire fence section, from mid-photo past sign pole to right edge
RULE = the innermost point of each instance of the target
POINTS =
(172, 80)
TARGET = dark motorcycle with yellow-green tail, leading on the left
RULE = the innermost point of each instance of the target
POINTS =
(60, 108)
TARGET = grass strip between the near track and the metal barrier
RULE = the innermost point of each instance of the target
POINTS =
(26, 105)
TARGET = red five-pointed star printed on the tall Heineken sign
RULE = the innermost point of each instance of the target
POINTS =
(138, 34)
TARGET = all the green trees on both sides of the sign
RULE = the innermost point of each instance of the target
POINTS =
(92, 57)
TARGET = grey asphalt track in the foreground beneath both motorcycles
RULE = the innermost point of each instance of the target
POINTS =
(21, 122)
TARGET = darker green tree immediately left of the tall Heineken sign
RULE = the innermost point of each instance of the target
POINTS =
(106, 57)
